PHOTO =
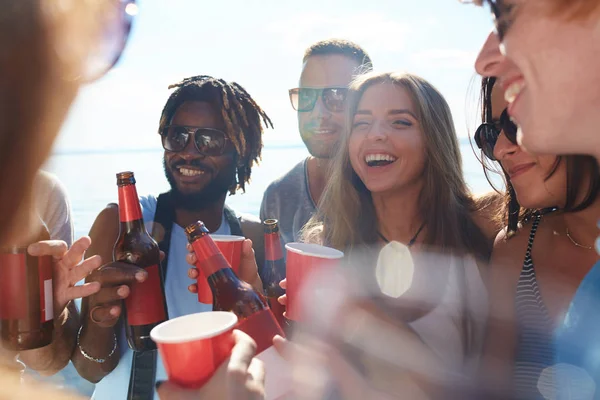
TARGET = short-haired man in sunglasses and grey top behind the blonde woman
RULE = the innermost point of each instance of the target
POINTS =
(328, 68)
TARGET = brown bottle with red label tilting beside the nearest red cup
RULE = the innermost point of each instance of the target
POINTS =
(230, 293)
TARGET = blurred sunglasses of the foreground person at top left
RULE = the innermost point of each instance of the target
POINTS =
(115, 25)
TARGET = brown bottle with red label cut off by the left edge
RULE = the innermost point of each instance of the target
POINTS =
(26, 297)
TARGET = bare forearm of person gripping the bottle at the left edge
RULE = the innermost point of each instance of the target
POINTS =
(54, 357)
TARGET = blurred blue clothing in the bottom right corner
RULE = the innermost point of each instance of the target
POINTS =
(578, 341)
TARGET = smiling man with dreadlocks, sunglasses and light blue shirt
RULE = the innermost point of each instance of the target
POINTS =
(211, 131)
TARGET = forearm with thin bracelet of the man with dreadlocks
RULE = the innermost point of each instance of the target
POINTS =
(100, 344)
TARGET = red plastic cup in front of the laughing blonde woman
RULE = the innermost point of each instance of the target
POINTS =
(302, 260)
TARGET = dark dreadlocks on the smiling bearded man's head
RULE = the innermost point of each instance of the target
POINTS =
(244, 118)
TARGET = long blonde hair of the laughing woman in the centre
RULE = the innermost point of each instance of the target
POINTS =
(346, 217)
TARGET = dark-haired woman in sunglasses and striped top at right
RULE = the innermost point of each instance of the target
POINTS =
(536, 264)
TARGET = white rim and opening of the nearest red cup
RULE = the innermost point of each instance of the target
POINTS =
(193, 327)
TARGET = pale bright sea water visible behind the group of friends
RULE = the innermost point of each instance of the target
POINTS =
(89, 177)
